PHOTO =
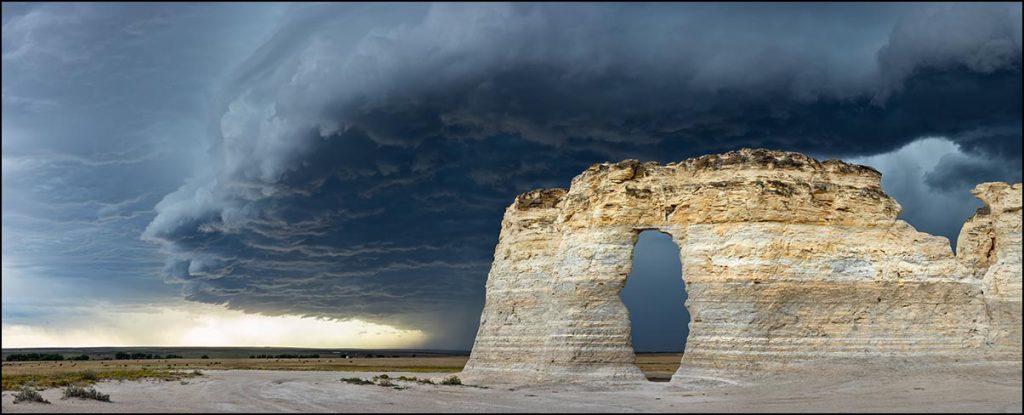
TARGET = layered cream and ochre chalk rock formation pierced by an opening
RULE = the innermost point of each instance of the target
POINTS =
(787, 261)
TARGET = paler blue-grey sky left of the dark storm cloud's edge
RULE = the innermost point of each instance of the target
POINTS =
(102, 111)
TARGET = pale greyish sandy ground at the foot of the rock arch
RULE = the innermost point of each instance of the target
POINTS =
(968, 389)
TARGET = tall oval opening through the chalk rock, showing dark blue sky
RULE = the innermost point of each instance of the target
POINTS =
(655, 295)
